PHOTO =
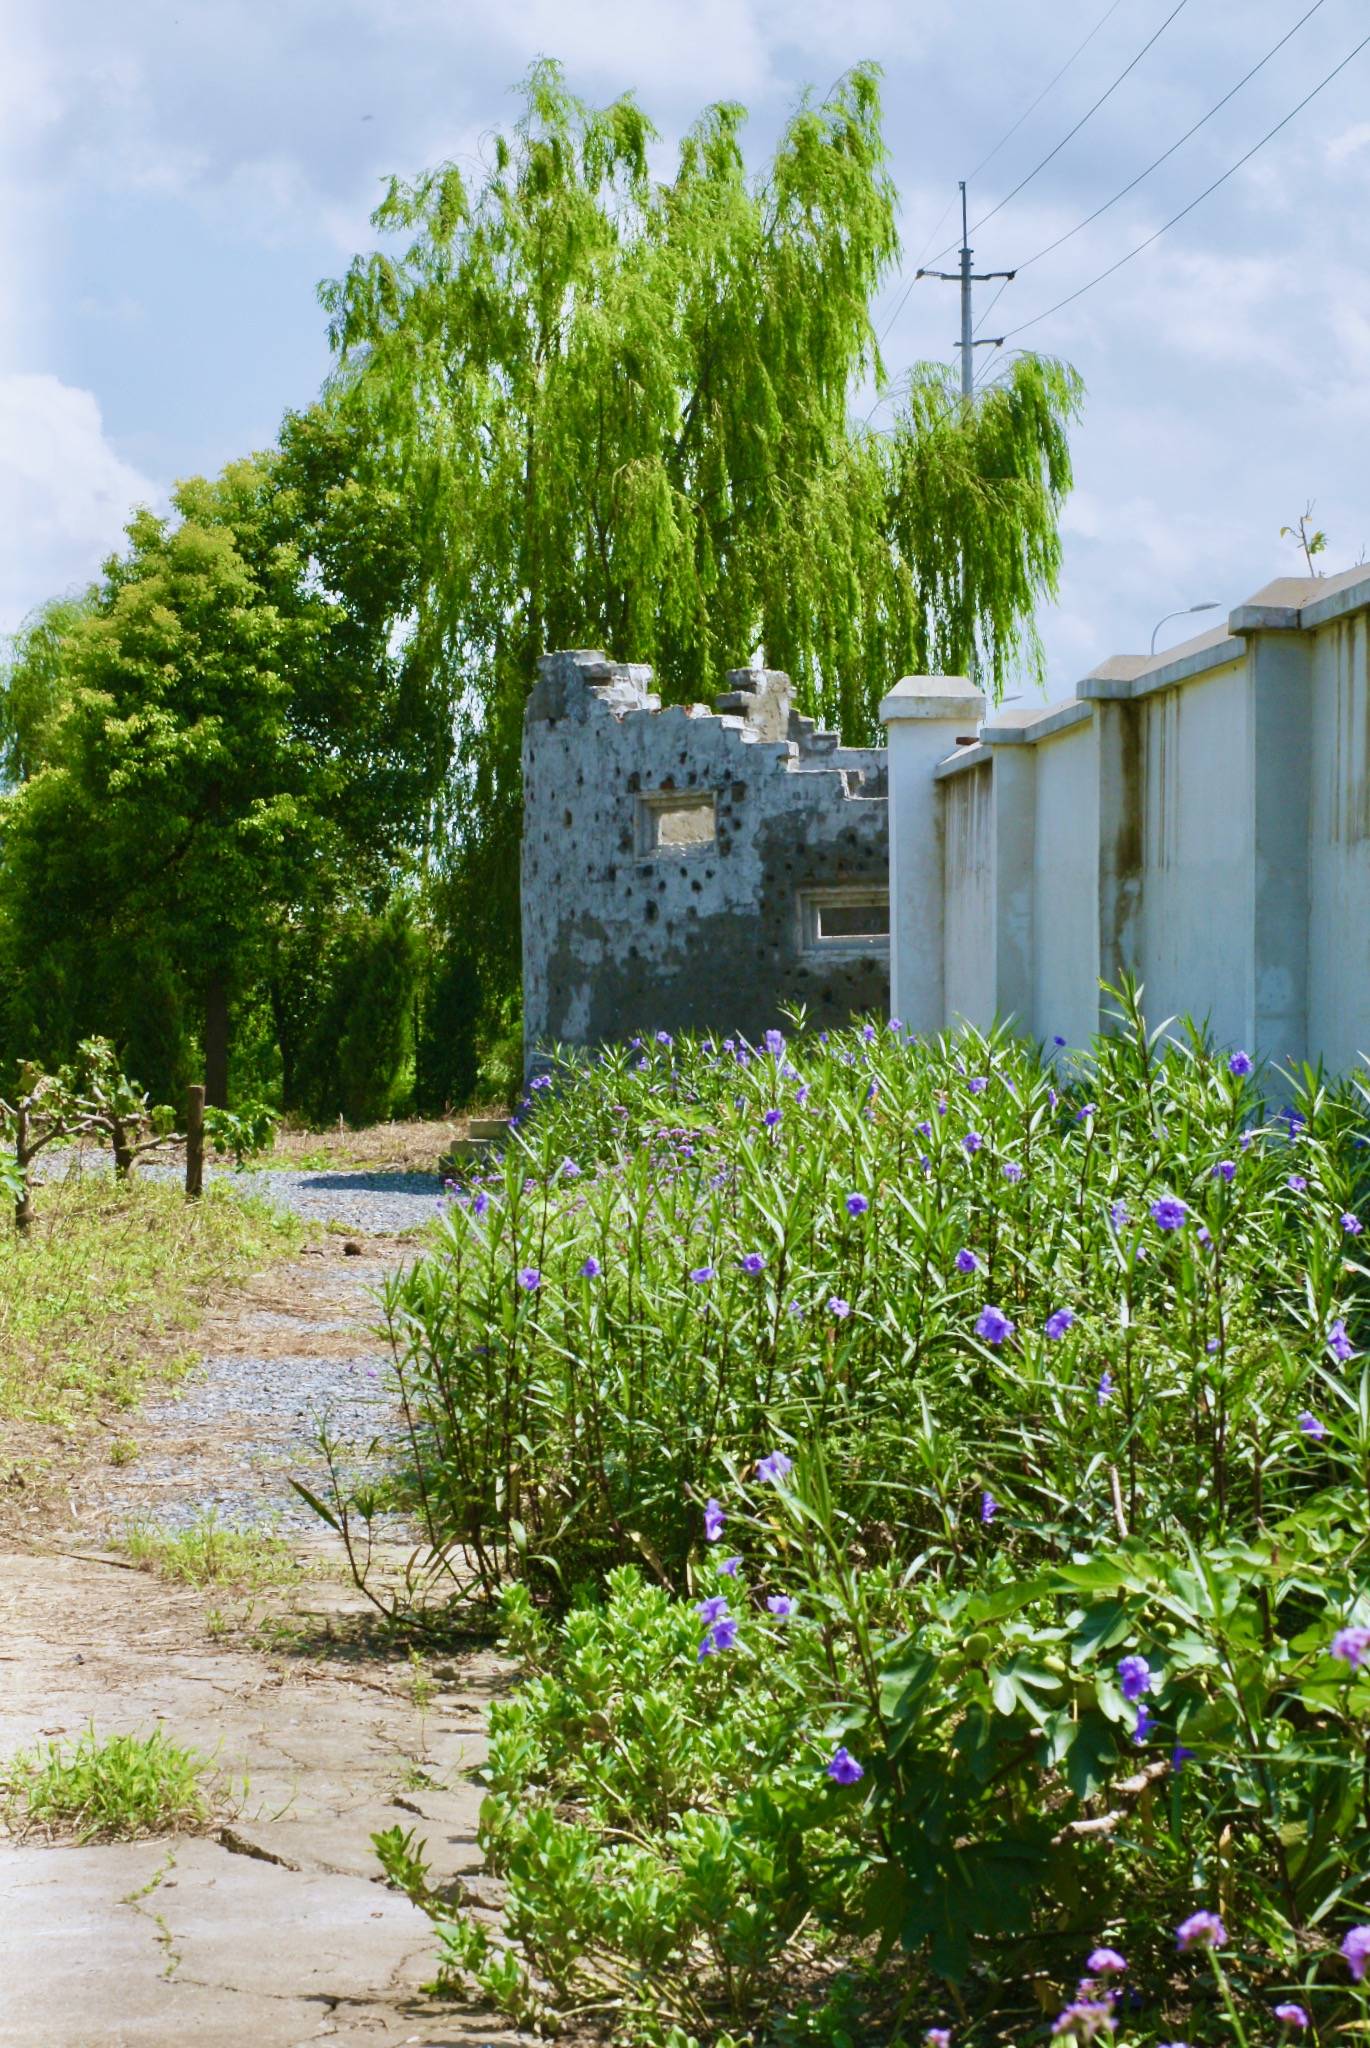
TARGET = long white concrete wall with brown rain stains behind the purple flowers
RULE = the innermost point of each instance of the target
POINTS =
(1199, 820)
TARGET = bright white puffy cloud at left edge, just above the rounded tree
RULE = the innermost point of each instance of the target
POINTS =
(65, 493)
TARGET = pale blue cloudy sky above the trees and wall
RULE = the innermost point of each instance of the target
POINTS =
(179, 175)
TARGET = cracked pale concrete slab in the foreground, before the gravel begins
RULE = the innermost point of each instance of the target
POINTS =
(314, 1744)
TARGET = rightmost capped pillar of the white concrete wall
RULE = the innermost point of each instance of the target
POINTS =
(1279, 779)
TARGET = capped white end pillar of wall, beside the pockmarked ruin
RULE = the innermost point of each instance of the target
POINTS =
(923, 716)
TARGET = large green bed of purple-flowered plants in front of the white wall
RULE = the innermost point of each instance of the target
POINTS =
(953, 1474)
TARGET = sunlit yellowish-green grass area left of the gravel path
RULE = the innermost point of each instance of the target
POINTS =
(103, 1277)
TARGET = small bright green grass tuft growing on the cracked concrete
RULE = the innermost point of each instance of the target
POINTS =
(112, 1789)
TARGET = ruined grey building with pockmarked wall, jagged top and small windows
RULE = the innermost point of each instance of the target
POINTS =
(677, 863)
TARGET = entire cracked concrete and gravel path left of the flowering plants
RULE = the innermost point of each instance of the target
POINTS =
(271, 1930)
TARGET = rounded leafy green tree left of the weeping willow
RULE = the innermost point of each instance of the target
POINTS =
(230, 746)
